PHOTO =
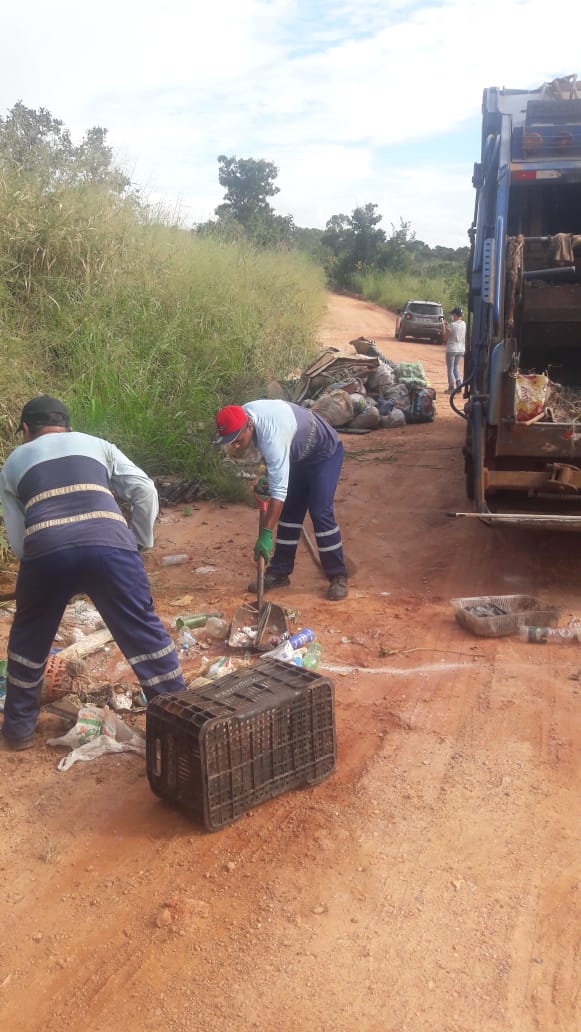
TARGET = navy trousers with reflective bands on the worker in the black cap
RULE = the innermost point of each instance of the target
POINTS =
(117, 584)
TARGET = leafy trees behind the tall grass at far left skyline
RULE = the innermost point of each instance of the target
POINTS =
(35, 142)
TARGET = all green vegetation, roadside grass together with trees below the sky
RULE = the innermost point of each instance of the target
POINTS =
(146, 329)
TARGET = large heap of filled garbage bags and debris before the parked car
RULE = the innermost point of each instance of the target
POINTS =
(364, 391)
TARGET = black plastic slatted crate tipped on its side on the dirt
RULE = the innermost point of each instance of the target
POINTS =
(222, 750)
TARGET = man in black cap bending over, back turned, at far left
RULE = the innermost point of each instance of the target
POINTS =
(64, 525)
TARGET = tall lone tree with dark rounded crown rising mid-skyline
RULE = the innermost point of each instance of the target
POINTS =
(248, 184)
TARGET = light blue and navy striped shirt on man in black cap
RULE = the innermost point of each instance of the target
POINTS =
(57, 493)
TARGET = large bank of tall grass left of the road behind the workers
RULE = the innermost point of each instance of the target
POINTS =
(144, 329)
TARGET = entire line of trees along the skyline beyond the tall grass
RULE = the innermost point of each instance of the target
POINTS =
(35, 142)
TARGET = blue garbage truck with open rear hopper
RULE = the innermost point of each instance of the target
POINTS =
(522, 396)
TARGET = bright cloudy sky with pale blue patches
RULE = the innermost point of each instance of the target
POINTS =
(356, 102)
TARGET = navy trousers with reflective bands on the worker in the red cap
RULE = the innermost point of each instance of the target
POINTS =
(312, 489)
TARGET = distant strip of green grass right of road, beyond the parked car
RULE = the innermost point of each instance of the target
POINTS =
(393, 292)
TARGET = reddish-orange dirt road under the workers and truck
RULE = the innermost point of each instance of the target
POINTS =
(432, 884)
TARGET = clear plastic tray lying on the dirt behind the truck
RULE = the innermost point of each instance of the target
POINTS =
(523, 610)
